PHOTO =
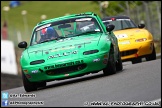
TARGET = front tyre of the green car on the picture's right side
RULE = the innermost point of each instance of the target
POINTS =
(111, 65)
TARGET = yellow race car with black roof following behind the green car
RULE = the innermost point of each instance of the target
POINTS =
(135, 42)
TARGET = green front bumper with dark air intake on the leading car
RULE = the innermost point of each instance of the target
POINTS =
(64, 70)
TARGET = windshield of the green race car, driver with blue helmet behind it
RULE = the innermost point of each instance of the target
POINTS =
(64, 29)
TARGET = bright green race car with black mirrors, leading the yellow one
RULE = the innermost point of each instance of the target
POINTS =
(67, 47)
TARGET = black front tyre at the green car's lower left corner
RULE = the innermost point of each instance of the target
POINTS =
(28, 86)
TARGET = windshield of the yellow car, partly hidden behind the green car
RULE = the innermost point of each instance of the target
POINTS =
(121, 24)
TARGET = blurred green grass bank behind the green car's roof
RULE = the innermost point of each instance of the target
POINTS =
(35, 9)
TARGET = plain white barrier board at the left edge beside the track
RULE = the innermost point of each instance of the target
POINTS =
(8, 58)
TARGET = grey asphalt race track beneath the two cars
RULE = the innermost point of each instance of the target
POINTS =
(138, 84)
